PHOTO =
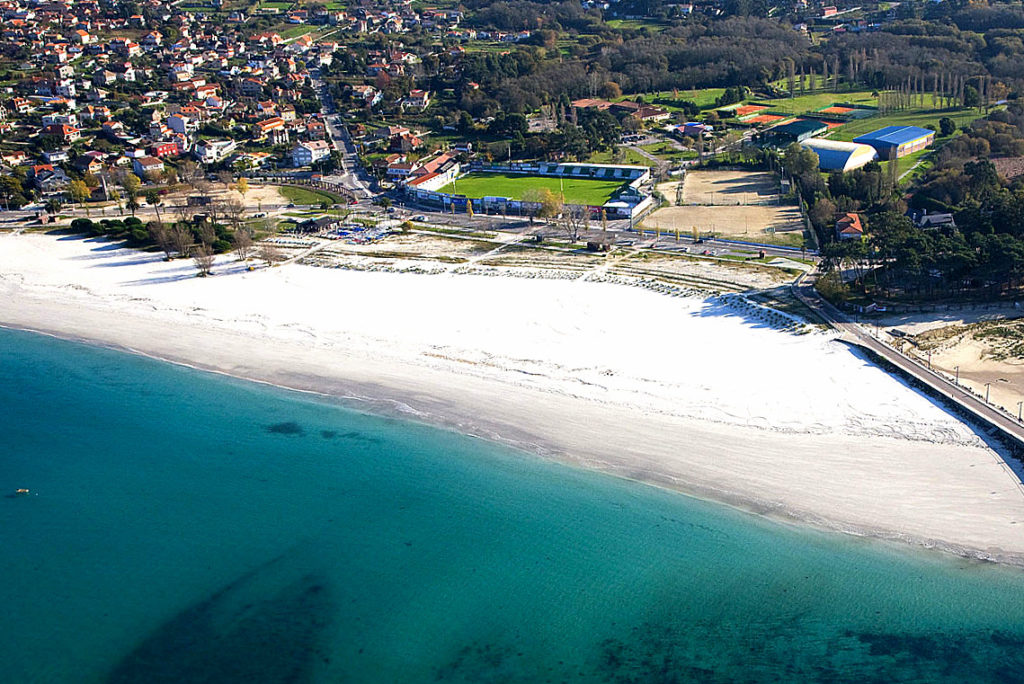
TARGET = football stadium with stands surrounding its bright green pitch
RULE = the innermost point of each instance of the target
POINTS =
(508, 189)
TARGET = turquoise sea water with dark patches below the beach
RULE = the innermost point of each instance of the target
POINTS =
(186, 528)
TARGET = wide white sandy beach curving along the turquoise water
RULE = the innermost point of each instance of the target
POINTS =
(681, 393)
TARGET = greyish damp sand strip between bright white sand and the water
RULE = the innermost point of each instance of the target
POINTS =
(889, 488)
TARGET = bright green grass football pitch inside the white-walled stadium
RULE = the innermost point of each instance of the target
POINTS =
(578, 191)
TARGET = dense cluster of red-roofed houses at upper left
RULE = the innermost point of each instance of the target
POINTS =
(110, 91)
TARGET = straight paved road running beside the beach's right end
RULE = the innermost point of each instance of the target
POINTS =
(855, 333)
